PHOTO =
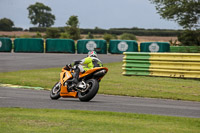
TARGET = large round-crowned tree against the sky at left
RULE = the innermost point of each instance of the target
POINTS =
(41, 15)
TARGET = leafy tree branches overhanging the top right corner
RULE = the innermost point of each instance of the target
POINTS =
(185, 12)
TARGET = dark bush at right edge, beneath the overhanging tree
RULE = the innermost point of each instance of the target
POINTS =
(190, 38)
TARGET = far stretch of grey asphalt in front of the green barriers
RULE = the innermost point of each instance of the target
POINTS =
(27, 61)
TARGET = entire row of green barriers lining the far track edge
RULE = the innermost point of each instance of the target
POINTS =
(83, 46)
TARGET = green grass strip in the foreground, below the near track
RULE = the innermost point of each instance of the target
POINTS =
(19, 120)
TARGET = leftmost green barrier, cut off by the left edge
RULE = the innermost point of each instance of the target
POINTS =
(5, 45)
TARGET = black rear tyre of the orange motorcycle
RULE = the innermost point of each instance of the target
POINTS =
(92, 89)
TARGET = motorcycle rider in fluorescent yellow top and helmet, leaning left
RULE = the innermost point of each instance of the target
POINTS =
(85, 64)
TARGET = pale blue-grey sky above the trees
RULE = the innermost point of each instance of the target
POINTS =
(91, 13)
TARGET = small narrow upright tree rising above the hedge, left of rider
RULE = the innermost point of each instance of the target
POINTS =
(72, 28)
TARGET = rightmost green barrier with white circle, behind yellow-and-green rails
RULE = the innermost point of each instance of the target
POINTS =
(154, 47)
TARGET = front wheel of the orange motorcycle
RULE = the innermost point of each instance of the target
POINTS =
(55, 91)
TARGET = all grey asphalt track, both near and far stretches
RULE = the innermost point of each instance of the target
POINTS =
(26, 98)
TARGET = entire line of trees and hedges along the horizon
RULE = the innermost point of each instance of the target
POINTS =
(186, 13)
